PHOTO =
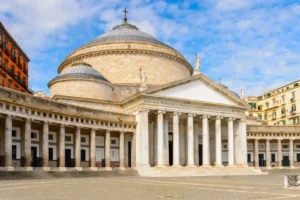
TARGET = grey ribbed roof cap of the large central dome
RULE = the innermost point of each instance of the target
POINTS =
(125, 32)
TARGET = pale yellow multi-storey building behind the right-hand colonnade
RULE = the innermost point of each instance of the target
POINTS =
(277, 107)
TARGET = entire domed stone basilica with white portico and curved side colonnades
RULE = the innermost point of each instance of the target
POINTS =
(126, 100)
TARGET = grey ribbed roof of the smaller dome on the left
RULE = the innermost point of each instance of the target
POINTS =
(80, 70)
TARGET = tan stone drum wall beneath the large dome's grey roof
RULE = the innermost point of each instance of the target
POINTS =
(124, 68)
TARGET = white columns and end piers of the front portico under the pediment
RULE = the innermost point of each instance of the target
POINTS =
(235, 157)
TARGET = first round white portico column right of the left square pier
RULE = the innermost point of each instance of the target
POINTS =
(160, 139)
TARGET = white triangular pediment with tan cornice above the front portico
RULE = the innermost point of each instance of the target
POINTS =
(199, 88)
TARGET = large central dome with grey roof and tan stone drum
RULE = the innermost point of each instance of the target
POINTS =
(122, 53)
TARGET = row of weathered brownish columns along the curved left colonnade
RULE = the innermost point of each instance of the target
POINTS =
(61, 147)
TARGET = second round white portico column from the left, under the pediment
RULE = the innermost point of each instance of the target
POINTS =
(176, 157)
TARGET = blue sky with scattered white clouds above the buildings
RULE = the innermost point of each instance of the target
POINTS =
(246, 44)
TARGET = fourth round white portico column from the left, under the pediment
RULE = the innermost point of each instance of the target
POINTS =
(205, 142)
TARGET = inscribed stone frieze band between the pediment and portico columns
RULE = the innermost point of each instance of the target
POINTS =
(192, 106)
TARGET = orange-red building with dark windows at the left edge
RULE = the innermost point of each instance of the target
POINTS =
(13, 63)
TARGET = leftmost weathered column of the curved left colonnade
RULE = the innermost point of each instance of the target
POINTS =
(8, 144)
